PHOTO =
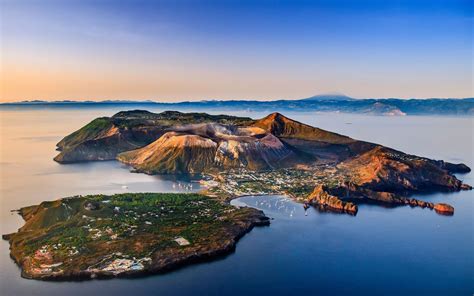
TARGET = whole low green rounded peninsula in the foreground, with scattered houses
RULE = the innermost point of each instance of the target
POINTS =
(124, 235)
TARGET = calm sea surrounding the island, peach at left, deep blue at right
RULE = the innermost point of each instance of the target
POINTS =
(379, 251)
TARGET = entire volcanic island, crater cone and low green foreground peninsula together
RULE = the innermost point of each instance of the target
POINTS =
(133, 234)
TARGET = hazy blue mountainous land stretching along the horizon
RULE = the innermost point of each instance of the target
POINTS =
(320, 103)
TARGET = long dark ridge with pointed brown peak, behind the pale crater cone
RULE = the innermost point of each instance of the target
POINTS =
(104, 138)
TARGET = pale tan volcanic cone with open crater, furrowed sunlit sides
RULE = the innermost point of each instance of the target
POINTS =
(206, 147)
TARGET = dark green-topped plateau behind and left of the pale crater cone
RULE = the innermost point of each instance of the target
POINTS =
(105, 137)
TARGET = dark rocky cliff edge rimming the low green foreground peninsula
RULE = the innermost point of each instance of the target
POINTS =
(161, 261)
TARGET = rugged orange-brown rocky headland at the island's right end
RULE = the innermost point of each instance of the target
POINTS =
(388, 176)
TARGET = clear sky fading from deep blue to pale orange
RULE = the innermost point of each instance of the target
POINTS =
(260, 50)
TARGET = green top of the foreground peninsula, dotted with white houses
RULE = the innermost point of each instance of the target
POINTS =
(122, 232)
